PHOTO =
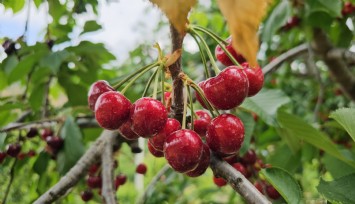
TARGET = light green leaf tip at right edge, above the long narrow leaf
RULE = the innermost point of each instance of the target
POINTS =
(346, 118)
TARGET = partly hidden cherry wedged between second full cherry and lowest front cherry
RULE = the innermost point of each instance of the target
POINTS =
(157, 141)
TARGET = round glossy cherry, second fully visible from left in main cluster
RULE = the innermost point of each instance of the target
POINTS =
(148, 117)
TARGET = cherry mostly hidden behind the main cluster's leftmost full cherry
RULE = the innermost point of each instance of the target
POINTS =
(96, 89)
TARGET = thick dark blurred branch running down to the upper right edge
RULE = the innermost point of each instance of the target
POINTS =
(335, 62)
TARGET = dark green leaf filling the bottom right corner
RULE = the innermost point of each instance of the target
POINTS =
(338, 191)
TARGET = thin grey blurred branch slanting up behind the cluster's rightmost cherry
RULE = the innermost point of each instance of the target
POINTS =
(294, 52)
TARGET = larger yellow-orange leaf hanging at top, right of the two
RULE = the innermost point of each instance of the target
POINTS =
(243, 18)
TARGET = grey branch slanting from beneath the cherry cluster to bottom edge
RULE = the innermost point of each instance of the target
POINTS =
(238, 182)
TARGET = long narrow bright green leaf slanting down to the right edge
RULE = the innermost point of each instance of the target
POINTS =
(296, 127)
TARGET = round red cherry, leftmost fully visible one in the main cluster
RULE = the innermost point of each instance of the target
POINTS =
(112, 110)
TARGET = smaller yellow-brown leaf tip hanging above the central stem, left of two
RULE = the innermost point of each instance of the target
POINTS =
(176, 11)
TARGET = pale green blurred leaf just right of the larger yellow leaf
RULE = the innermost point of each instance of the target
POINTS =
(277, 18)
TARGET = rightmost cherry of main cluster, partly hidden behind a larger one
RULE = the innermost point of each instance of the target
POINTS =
(255, 77)
